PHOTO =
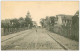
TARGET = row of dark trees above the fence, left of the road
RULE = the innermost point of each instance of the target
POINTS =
(17, 23)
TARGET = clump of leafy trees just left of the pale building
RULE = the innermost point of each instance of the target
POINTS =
(48, 22)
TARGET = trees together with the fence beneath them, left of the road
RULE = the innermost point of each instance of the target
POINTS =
(17, 24)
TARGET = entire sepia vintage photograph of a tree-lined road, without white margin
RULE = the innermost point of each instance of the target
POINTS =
(40, 25)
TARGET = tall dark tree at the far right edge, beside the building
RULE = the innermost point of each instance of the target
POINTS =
(75, 26)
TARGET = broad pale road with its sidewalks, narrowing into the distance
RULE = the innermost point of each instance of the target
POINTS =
(32, 40)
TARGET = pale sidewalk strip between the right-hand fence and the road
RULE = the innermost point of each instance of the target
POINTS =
(71, 44)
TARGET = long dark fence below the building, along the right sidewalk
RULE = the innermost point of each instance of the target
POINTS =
(66, 32)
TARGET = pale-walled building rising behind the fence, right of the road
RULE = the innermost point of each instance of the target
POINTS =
(63, 19)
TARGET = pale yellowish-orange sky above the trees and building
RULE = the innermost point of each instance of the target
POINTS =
(37, 9)
